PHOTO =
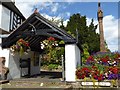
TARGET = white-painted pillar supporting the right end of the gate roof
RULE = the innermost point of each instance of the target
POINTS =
(72, 60)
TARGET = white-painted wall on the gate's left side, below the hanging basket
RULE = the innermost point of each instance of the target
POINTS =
(12, 62)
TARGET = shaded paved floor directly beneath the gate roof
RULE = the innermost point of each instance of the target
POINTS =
(45, 76)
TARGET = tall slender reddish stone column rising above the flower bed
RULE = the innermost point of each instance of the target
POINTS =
(100, 21)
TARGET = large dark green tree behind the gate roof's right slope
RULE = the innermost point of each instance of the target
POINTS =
(87, 34)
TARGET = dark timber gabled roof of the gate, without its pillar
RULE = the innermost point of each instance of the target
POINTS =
(36, 29)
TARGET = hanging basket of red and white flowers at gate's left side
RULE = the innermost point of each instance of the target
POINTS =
(20, 47)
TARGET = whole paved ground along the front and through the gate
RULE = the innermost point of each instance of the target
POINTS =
(47, 80)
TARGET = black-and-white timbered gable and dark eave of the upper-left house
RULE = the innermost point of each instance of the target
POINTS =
(16, 17)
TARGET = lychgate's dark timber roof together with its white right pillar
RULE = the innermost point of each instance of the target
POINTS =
(36, 29)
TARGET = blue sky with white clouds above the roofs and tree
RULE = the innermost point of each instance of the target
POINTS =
(64, 9)
